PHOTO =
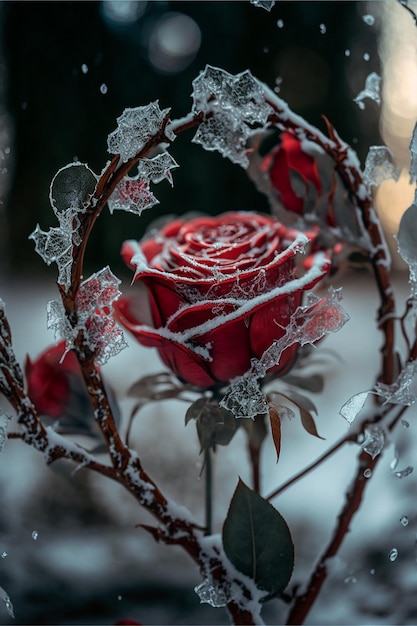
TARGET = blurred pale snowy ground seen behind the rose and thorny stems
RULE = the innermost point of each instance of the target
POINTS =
(88, 564)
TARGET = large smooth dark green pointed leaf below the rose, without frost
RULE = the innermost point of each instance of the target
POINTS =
(257, 540)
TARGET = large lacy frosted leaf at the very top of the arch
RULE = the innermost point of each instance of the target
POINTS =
(234, 107)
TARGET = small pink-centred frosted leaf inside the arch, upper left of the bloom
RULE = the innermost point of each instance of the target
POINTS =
(132, 195)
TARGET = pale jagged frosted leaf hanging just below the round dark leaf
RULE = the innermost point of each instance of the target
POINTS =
(55, 246)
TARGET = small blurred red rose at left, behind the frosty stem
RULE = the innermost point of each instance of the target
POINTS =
(48, 380)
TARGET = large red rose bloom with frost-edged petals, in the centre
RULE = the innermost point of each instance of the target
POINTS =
(220, 290)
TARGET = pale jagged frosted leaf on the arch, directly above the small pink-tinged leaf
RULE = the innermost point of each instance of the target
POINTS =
(135, 127)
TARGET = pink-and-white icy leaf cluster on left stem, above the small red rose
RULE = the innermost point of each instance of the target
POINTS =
(94, 311)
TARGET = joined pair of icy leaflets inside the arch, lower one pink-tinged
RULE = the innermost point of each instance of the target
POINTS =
(134, 194)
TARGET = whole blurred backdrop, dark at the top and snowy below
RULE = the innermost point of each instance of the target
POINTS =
(70, 552)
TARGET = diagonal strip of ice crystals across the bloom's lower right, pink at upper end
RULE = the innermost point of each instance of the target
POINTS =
(308, 324)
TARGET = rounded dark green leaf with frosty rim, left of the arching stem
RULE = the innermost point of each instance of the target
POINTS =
(72, 187)
